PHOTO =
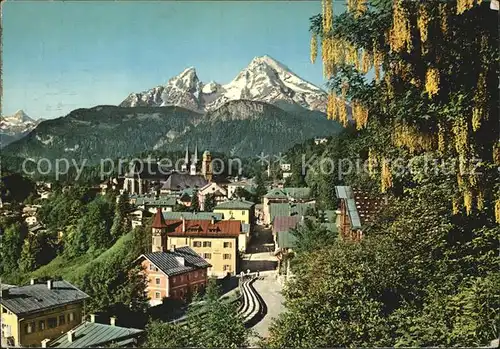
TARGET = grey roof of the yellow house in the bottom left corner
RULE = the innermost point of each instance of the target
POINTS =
(34, 298)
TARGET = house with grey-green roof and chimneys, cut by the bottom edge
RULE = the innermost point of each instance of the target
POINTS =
(91, 334)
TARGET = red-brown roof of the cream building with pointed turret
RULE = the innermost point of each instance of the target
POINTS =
(203, 228)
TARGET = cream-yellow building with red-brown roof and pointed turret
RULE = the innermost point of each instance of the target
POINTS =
(217, 242)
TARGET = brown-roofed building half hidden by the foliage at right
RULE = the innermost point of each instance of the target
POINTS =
(356, 211)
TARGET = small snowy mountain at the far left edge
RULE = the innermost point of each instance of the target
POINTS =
(15, 126)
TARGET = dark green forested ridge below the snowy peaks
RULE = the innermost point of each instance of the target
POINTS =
(116, 132)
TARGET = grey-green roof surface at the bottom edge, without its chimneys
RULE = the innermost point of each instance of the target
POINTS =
(91, 334)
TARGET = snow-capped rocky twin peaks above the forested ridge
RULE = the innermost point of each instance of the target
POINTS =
(264, 80)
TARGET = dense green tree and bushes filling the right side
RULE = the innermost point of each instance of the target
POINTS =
(426, 272)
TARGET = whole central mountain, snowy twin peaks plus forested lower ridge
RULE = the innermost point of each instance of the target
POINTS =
(265, 108)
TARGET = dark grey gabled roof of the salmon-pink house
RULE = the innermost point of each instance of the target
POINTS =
(167, 263)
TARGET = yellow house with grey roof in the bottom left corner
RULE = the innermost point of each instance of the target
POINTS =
(39, 311)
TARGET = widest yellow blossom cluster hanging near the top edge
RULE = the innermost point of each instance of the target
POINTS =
(400, 33)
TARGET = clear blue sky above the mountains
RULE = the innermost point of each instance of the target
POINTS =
(59, 56)
